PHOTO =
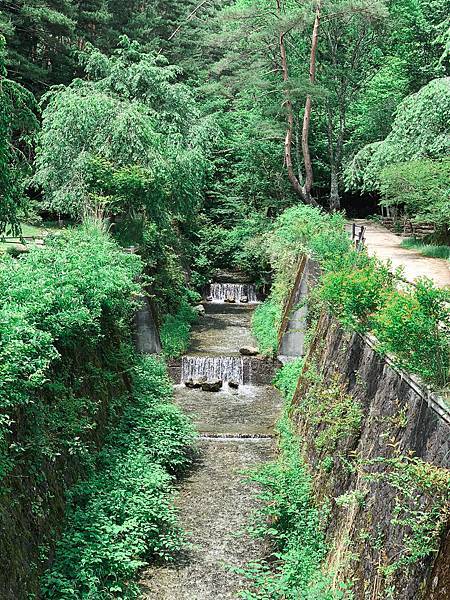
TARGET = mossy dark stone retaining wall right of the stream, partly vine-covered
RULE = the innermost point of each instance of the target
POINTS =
(399, 418)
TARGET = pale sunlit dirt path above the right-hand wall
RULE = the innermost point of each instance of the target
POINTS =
(386, 245)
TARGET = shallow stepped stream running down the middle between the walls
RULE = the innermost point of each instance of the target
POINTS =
(236, 427)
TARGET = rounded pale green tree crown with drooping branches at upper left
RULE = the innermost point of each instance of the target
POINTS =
(127, 140)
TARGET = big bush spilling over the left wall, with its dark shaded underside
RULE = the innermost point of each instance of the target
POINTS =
(65, 359)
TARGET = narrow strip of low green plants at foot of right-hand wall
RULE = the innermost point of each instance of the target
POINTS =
(291, 520)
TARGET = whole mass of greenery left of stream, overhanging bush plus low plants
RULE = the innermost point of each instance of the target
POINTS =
(66, 368)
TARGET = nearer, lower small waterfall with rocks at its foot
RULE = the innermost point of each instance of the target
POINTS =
(225, 368)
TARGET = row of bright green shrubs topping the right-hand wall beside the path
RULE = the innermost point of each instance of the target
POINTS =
(411, 322)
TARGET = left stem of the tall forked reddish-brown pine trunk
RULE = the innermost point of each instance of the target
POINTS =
(298, 187)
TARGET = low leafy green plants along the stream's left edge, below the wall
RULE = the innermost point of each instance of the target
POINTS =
(123, 515)
